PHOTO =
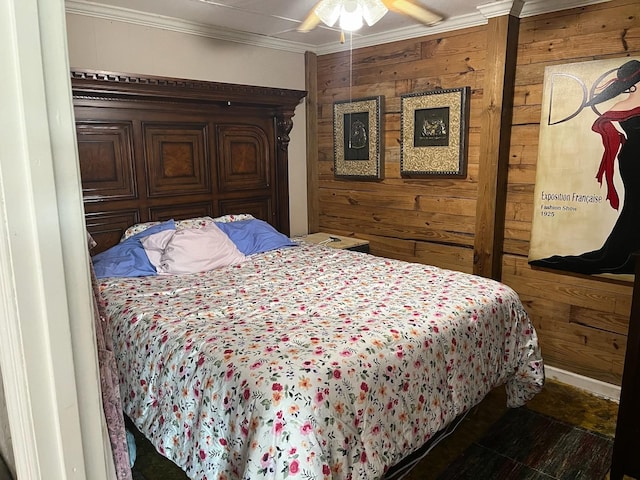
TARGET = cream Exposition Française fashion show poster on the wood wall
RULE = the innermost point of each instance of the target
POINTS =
(587, 198)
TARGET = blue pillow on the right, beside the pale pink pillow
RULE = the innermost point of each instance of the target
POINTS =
(255, 236)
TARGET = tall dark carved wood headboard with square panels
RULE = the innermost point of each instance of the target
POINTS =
(154, 148)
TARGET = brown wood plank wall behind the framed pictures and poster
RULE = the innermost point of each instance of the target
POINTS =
(581, 321)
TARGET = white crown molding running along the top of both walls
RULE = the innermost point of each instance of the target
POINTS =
(518, 8)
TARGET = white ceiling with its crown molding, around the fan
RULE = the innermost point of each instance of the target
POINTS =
(273, 23)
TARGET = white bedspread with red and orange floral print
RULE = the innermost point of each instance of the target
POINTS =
(311, 362)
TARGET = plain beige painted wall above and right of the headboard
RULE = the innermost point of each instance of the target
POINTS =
(118, 46)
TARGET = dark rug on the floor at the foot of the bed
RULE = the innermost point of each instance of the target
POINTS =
(526, 445)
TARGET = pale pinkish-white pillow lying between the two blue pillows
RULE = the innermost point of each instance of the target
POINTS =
(198, 250)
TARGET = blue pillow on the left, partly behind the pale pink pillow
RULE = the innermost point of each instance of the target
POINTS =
(128, 258)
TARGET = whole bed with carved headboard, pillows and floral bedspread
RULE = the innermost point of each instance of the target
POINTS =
(295, 360)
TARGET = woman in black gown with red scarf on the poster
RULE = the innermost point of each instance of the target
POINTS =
(615, 255)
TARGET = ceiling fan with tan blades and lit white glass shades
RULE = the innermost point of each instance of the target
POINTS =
(352, 12)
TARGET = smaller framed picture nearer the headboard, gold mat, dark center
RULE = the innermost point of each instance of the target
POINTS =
(356, 138)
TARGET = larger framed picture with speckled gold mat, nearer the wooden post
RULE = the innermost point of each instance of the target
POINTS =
(434, 130)
